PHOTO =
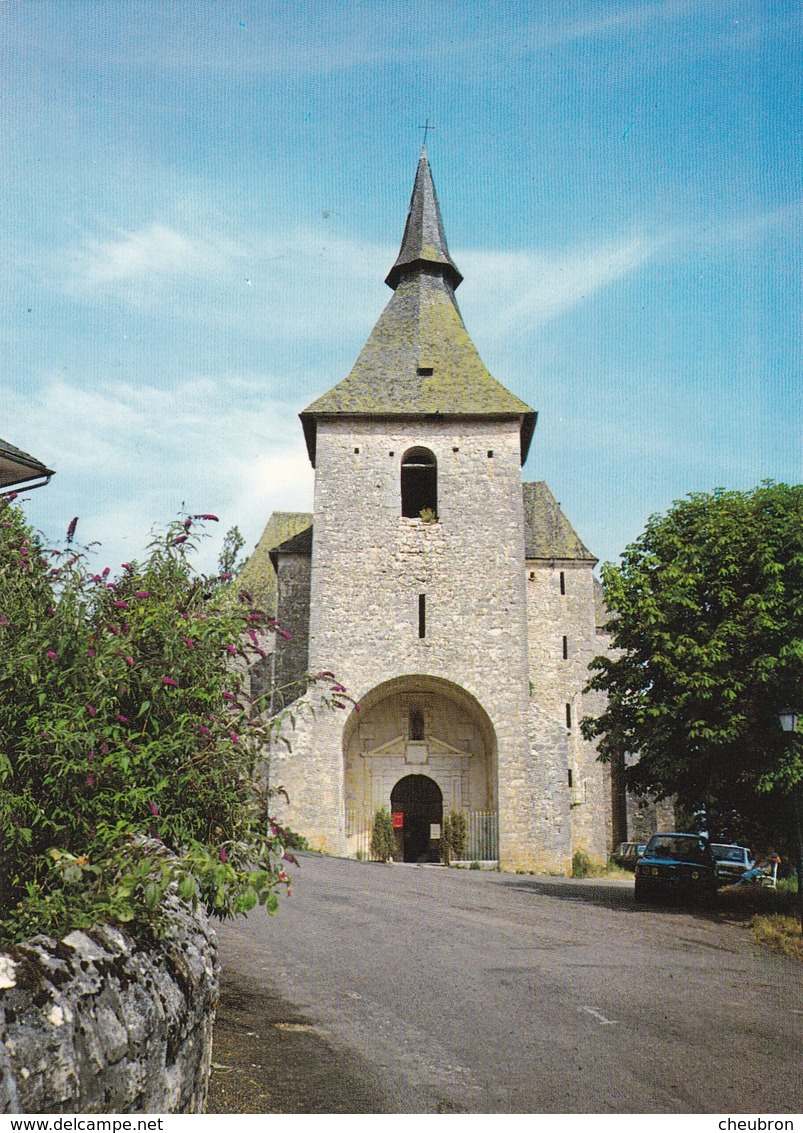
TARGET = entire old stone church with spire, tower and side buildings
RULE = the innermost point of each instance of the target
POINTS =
(455, 602)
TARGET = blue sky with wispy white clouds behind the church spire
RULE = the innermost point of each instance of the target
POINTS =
(201, 202)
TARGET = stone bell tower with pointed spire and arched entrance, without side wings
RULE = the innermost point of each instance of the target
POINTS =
(417, 578)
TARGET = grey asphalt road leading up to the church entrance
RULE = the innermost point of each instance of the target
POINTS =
(414, 990)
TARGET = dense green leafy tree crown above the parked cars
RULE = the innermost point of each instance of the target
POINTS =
(707, 629)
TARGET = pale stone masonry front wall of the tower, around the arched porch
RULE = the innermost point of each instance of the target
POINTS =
(371, 565)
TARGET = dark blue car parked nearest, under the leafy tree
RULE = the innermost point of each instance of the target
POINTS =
(677, 866)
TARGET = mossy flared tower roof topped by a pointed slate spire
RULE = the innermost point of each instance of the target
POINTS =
(420, 359)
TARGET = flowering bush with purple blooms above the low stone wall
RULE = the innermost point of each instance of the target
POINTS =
(126, 731)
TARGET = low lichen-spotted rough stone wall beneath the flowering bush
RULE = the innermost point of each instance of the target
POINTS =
(98, 1025)
